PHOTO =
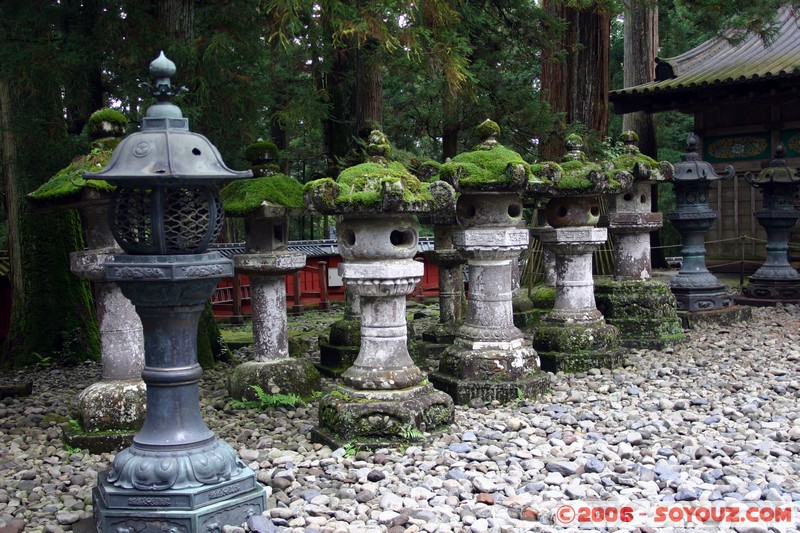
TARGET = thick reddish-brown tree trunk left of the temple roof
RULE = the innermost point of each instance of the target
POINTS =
(575, 72)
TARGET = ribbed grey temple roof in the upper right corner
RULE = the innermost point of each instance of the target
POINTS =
(717, 64)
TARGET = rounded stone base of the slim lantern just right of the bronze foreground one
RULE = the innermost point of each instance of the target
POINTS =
(282, 376)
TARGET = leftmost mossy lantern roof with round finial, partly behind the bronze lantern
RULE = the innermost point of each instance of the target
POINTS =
(68, 188)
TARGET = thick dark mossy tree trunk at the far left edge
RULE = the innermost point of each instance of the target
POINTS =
(51, 308)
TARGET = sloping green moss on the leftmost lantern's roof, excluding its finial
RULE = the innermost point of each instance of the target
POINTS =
(65, 186)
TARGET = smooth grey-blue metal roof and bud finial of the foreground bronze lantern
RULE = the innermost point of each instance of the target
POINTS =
(165, 152)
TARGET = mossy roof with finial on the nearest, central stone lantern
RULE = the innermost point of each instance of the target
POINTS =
(378, 186)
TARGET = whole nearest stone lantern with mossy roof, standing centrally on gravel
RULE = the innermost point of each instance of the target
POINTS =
(384, 397)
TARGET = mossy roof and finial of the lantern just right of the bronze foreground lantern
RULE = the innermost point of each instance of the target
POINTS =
(263, 195)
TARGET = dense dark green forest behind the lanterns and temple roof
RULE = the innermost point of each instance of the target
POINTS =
(314, 77)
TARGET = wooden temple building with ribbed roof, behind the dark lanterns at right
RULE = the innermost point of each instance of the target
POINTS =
(745, 99)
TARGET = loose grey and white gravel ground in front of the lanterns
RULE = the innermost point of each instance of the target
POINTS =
(715, 419)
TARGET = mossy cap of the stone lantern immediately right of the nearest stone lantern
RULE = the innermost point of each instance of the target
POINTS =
(489, 167)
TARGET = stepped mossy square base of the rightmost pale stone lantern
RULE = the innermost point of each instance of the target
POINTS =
(644, 312)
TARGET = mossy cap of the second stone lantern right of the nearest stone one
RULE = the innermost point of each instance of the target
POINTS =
(575, 175)
